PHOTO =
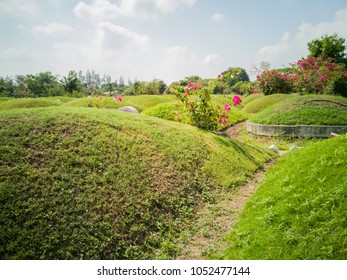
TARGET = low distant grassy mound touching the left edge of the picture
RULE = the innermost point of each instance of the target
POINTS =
(28, 103)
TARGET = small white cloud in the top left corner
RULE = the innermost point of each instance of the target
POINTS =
(19, 8)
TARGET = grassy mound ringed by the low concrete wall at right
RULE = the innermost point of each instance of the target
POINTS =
(309, 110)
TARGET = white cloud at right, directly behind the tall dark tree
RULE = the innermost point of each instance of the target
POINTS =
(291, 48)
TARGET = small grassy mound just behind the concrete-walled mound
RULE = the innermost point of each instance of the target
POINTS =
(259, 103)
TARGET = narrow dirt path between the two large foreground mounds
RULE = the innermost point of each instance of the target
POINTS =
(215, 220)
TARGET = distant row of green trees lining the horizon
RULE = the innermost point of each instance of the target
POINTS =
(78, 84)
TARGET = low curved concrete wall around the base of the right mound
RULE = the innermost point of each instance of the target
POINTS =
(317, 131)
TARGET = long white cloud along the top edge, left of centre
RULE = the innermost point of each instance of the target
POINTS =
(103, 10)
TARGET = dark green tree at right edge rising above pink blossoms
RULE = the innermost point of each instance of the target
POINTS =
(329, 46)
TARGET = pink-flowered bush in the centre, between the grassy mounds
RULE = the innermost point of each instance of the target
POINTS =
(202, 112)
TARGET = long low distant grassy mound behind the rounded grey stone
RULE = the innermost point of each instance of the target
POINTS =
(140, 102)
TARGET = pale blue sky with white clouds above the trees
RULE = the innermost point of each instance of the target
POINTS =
(160, 39)
